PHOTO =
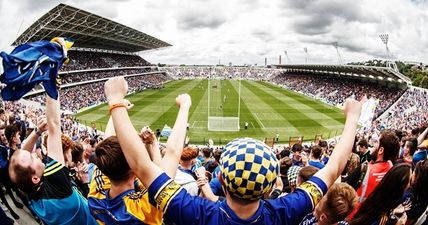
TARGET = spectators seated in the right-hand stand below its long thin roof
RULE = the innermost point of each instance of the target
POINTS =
(335, 90)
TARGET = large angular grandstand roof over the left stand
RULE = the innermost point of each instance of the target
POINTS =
(88, 31)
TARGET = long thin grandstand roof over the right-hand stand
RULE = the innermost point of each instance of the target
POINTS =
(374, 72)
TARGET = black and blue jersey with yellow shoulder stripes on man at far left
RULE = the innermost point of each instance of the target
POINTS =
(56, 202)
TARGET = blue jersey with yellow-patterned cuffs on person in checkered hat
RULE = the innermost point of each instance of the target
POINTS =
(183, 209)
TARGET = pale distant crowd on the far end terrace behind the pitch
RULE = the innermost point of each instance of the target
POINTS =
(223, 72)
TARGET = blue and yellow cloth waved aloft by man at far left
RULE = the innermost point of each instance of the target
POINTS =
(33, 63)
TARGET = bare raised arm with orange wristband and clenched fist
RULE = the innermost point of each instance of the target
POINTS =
(133, 148)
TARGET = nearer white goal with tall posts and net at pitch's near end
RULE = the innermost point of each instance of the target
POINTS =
(223, 105)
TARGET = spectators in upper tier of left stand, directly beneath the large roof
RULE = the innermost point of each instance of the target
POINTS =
(85, 60)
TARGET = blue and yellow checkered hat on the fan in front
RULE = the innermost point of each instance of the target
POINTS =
(248, 168)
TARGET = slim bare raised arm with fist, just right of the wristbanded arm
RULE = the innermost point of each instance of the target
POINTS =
(175, 143)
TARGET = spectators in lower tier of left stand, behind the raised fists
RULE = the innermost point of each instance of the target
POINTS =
(81, 96)
